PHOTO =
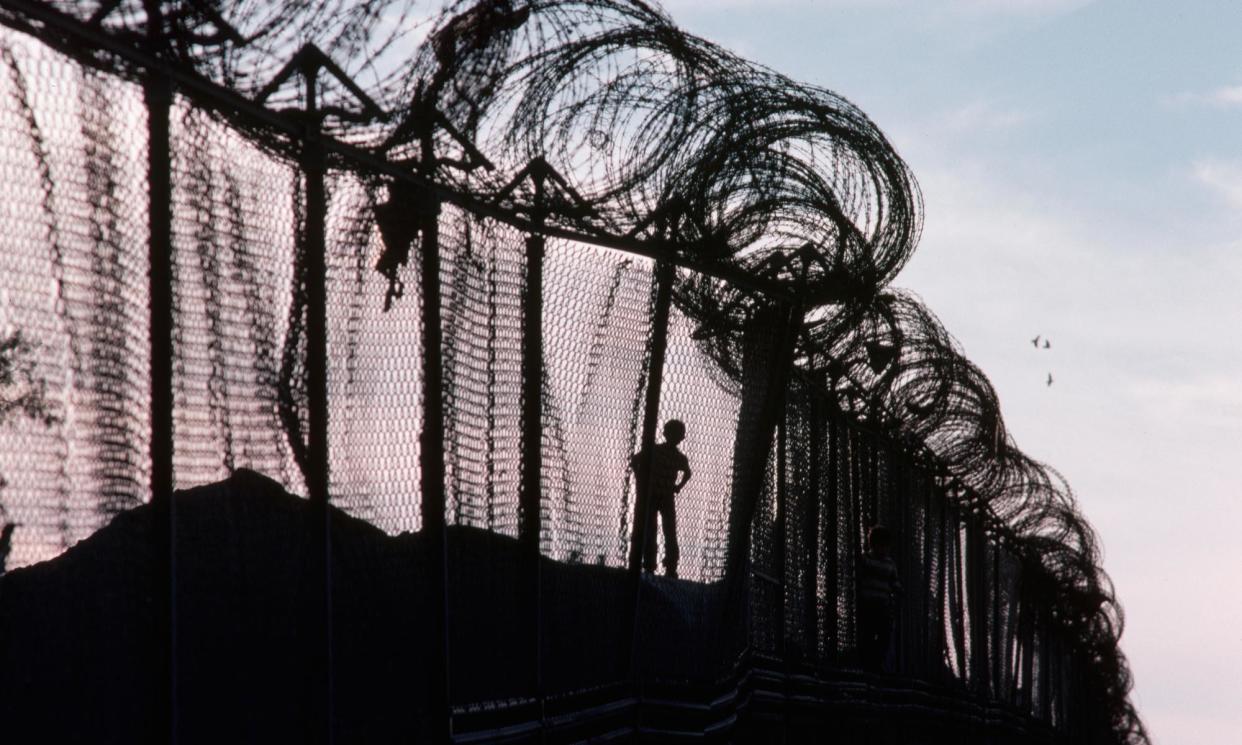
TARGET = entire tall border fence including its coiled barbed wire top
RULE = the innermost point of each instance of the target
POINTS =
(449, 309)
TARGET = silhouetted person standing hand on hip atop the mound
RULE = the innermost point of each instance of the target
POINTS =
(670, 471)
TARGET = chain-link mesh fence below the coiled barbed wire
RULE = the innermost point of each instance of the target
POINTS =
(512, 589)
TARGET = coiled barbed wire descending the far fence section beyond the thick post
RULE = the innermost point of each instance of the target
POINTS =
(892, 363)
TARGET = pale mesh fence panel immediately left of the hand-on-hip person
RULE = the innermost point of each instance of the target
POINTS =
(597, 330)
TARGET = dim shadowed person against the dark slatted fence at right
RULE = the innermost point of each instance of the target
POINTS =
(879, 587)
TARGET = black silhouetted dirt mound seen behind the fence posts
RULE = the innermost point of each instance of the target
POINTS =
(83, 645)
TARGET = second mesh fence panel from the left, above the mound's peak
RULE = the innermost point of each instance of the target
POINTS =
(235, 225)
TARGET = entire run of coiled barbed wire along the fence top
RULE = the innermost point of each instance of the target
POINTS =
(639, 119)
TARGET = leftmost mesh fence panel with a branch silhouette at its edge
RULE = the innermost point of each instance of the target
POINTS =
(73, 299)
